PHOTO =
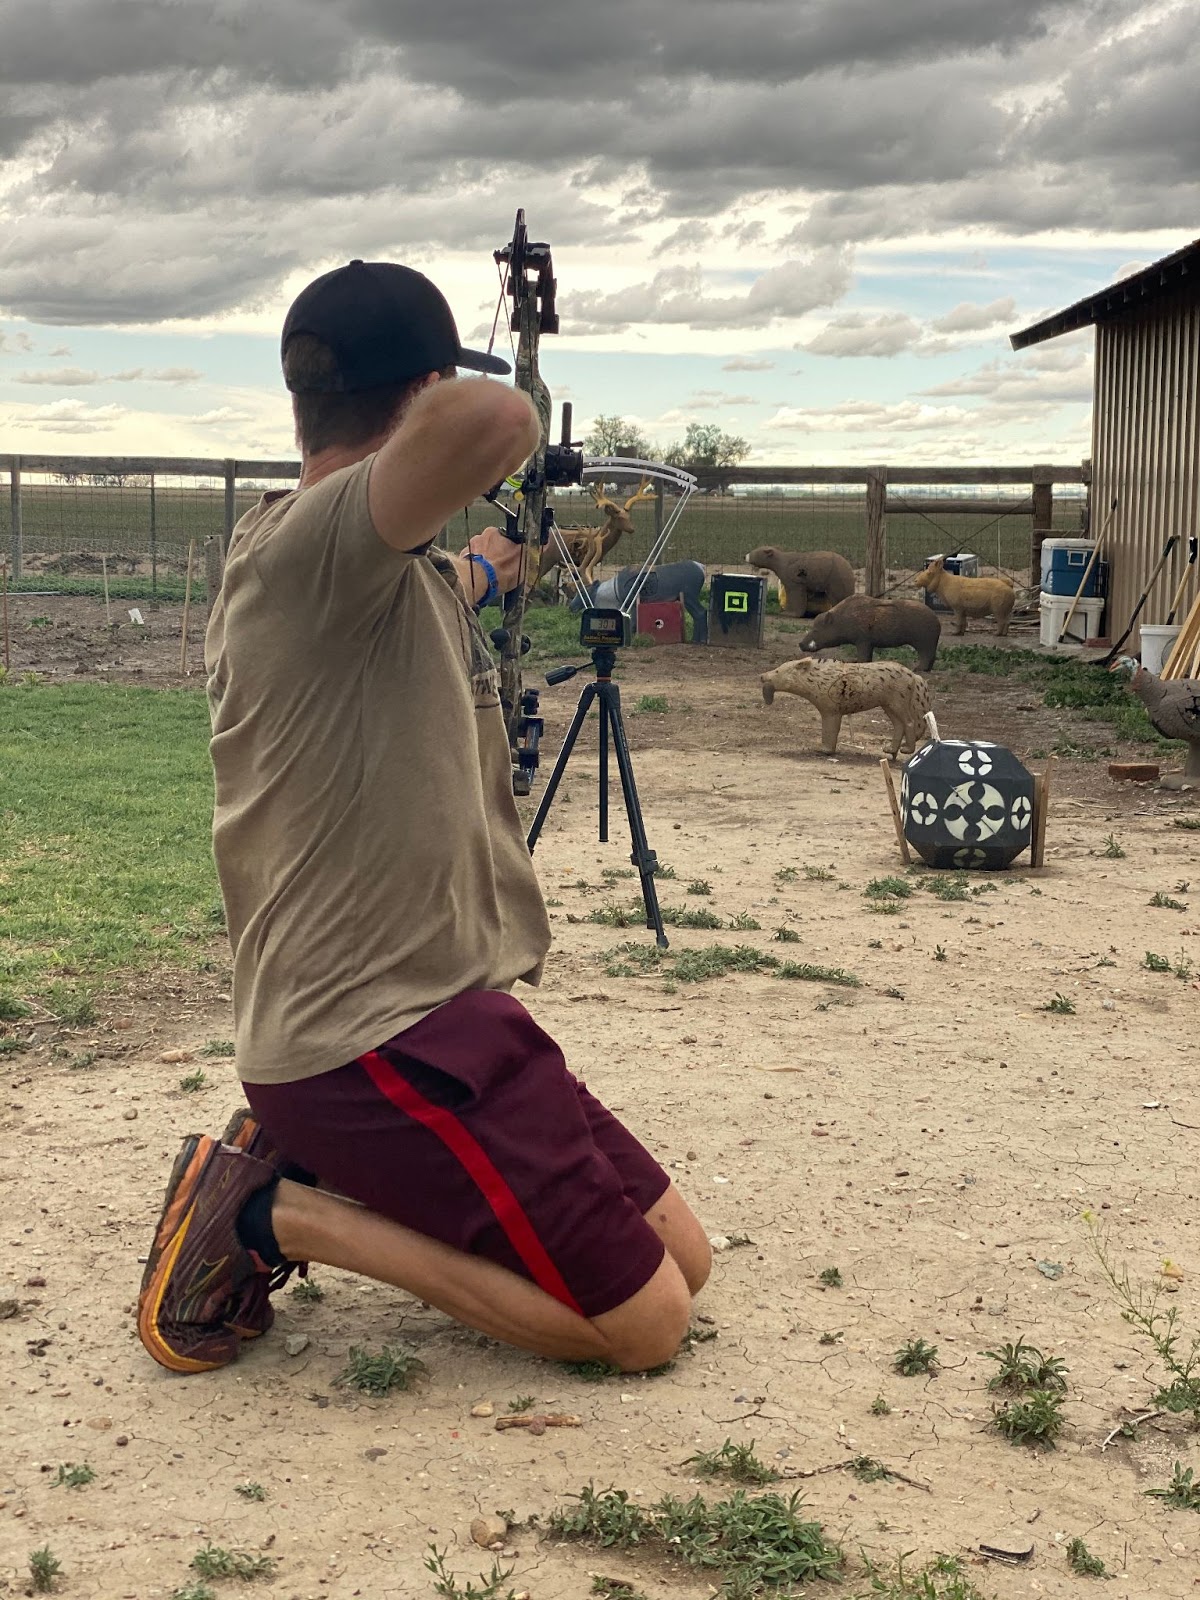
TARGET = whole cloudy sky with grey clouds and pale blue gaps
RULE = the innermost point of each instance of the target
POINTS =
(814, 223)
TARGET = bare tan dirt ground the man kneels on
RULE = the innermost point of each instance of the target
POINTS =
(934, 1134)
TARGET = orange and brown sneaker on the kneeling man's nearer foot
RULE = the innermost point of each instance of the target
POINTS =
(199, 1278)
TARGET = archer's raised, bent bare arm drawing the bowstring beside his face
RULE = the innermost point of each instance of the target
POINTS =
(457, 441)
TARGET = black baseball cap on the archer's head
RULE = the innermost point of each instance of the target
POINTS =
(385, 326)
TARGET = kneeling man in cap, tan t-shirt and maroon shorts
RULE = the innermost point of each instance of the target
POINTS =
(382, 902)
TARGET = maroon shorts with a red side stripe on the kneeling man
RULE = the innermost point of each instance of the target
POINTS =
(471, 1130)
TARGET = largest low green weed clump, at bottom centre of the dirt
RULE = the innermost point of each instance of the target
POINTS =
(750, 1545)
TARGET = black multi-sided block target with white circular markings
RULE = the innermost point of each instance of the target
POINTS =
(967, 804)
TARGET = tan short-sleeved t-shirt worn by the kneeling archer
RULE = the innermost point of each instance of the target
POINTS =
(366, 836)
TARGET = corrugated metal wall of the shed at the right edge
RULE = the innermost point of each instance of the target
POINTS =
(1146, 452)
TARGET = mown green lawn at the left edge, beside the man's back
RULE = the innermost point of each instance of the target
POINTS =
(105, 834)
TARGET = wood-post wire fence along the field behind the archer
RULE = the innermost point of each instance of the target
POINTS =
(68, 524)
